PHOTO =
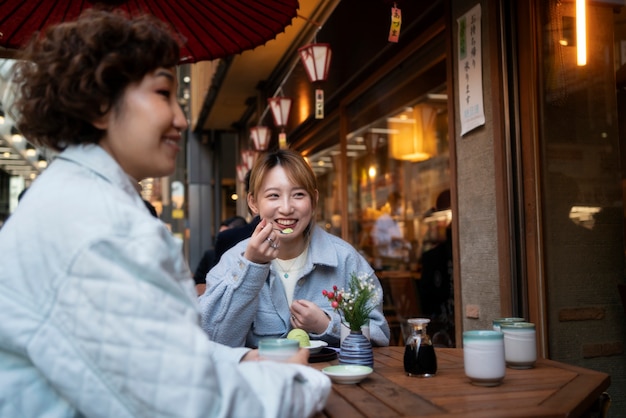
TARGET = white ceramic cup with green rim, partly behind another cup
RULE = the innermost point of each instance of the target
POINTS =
(520, 347)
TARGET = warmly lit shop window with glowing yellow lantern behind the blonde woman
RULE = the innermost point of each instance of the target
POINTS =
(398, 184)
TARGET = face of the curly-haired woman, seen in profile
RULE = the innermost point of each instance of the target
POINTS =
(143, 130)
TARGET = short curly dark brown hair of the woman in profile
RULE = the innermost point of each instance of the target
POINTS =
(75, 72)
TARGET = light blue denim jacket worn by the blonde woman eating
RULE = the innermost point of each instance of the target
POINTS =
(246, 301)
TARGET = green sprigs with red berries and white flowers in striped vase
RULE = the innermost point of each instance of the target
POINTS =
(357, 302)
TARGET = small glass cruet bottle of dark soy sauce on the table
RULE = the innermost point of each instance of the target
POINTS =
(419, 353)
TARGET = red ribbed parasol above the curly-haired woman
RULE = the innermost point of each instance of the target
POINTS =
(209, 29)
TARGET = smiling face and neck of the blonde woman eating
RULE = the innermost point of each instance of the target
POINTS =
(286, 205)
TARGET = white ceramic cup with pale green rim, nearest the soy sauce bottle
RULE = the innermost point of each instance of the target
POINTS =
(483, 357)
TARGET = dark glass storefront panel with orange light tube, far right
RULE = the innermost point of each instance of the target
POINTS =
(581, 109)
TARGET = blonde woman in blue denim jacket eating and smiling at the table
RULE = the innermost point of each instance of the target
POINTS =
(272, 282)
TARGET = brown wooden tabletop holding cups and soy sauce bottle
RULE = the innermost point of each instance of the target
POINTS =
(550, 389)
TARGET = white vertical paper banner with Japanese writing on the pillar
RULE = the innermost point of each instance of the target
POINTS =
(470, 80)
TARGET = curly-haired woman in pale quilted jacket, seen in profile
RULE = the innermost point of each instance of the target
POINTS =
(99, 315)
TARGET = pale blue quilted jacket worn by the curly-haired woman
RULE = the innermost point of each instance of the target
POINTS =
(99, 317)
